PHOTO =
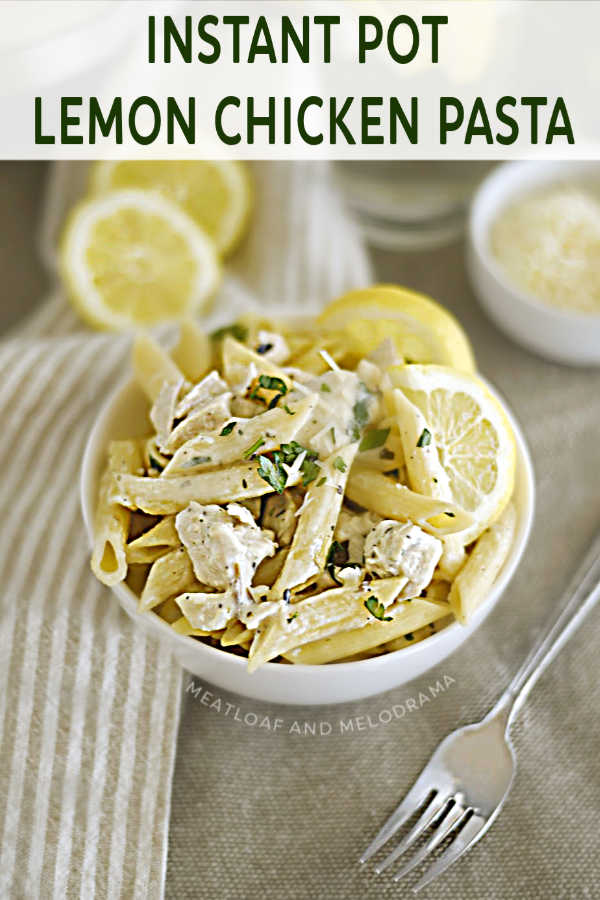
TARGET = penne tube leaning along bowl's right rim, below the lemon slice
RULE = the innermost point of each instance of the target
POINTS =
(472, 584)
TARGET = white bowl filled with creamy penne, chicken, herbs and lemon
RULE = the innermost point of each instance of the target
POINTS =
(287, 509)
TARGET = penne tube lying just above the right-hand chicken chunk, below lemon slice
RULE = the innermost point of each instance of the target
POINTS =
(387, 498)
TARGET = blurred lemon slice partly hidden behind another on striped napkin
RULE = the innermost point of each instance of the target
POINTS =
(217, 195)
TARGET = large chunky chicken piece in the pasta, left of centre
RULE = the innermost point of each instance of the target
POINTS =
(225, 546)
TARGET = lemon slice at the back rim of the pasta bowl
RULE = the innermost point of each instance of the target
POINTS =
(423, 331)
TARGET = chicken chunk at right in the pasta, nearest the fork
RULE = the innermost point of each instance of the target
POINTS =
(400, 548)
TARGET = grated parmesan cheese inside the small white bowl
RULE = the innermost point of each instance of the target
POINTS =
(549, 244)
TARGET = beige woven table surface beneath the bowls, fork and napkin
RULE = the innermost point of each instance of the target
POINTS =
(276, 814)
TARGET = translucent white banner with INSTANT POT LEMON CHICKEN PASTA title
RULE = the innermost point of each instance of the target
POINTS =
(291, 80)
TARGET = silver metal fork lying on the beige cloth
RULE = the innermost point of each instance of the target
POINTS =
(464, 785)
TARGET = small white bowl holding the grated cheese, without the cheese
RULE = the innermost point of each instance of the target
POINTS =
(560, 335)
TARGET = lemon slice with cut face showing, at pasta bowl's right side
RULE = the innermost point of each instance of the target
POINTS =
(472, 434)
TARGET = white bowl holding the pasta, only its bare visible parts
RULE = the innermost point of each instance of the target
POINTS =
(125, 415)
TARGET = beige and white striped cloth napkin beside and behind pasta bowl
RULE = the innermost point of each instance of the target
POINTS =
(90, 707)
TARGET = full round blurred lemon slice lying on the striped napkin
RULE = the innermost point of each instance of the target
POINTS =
(134, 258)
